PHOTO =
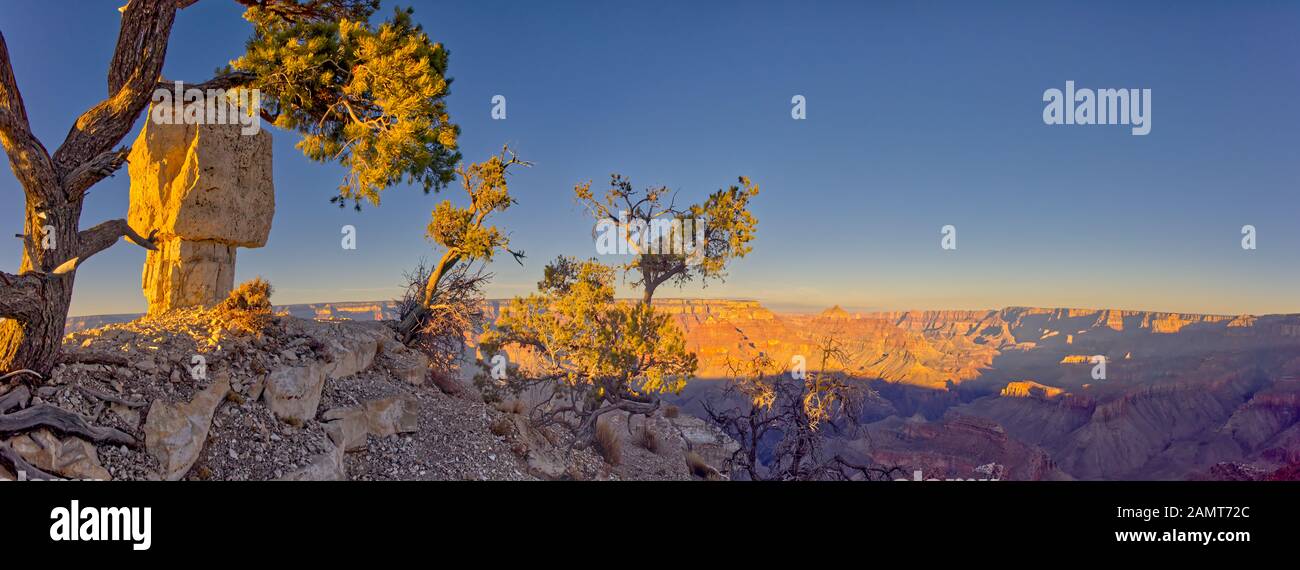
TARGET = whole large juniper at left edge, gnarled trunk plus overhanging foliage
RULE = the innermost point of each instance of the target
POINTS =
(367, 97)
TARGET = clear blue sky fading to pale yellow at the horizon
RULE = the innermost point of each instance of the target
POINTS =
(918, 115)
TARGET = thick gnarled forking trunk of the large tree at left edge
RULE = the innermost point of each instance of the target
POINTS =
(34, 303)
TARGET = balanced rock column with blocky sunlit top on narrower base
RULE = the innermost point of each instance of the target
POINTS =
(207, 191)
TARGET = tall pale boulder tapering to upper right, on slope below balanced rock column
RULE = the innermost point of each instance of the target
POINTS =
(175, 433)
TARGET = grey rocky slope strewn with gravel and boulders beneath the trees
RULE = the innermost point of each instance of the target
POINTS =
(311, 400)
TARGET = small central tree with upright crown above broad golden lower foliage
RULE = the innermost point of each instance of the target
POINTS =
(596, 355)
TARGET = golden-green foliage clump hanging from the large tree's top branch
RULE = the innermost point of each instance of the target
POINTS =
(372, 98)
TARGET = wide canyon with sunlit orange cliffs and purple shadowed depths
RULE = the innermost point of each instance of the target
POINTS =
(1012, 391)
